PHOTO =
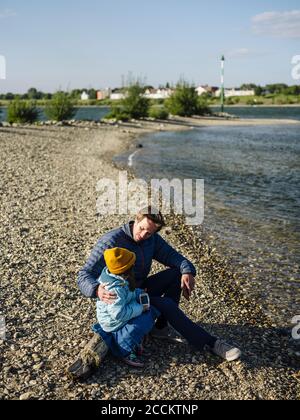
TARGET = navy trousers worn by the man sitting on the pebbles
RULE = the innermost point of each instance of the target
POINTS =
(165, 290)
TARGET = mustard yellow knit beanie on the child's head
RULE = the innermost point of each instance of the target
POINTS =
(119, 260)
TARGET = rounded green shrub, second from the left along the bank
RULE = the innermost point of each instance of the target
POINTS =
(60, 107)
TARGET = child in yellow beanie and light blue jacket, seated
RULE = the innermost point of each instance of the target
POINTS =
(124, 323)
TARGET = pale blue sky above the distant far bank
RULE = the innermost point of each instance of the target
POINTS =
(92, 43)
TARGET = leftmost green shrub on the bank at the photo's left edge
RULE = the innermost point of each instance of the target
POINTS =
(22, 112)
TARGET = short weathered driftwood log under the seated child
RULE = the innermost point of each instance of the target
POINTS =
(89, 359)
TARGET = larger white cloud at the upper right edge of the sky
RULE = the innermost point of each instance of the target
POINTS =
(278, 24)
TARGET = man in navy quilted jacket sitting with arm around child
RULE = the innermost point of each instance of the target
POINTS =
(165, 288)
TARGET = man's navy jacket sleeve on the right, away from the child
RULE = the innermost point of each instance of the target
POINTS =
(168, 256)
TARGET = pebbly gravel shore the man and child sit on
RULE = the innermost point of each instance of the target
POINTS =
(48, 226)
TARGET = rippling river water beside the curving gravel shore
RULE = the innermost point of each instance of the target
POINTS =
(252, 200)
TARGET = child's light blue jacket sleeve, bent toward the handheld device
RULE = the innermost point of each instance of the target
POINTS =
(122, 311)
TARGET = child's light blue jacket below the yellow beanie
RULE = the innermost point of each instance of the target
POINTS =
(123, 309)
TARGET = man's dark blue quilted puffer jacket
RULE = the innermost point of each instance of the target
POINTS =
(153, 248)
